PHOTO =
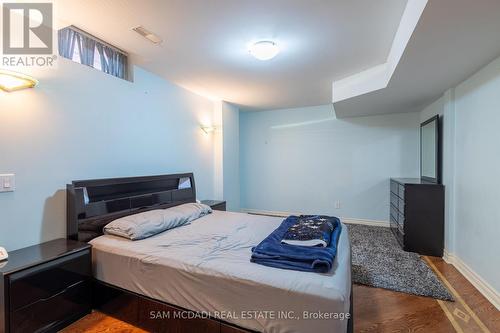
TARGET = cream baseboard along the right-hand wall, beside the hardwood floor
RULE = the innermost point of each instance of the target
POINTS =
(482, 286)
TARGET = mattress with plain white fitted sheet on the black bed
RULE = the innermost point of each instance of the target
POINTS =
(205, 266)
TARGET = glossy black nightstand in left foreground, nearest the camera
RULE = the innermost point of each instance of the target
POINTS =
(45, 287)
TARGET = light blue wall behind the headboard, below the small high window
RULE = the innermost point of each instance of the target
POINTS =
(80, 123)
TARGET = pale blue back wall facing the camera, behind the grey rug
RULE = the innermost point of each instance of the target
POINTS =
(303, 160)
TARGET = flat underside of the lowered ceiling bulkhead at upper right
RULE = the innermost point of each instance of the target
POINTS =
(453, 39)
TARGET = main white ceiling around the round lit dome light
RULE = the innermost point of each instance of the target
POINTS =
(205, 43)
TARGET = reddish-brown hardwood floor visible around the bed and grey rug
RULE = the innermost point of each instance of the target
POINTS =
(380, 310)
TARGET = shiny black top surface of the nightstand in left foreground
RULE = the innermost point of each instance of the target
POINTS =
(41, 253)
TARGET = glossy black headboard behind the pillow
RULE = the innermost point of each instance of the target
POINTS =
(91, 204)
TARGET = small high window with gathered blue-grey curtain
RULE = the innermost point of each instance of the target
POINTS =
(86, 49)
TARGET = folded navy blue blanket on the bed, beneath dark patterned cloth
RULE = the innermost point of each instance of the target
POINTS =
(271, 252)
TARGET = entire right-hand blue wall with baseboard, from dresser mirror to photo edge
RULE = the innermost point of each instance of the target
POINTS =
(471, 119)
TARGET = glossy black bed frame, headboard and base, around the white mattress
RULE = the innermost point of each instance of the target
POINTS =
(91, 204)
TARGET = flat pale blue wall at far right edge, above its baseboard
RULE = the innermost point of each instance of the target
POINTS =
(477, 179)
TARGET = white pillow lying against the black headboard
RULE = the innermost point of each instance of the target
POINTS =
(150, 223)
